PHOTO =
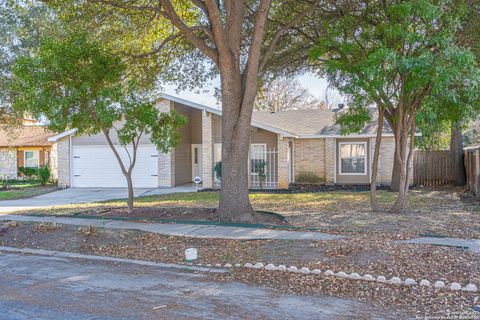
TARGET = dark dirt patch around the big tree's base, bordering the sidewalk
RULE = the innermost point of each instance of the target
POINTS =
(179, 214)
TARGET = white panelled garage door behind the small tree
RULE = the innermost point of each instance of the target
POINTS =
(96, 166)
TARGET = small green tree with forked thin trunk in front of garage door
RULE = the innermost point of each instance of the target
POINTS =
(78, 84)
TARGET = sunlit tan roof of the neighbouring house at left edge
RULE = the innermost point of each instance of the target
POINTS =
(26, 136)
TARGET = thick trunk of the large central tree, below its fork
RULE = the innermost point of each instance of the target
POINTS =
(234, 201)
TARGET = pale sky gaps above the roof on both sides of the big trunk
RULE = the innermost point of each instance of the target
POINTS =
(313, 83)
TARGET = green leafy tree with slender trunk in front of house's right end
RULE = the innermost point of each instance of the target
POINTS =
(397, 55)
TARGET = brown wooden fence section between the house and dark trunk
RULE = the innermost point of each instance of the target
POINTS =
(432, 168)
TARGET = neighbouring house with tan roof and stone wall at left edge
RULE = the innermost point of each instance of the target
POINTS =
(25, 146)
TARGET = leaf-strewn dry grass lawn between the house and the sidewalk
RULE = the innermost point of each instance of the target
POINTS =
(440, 212)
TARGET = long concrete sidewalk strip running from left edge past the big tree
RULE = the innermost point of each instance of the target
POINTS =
(184, 230)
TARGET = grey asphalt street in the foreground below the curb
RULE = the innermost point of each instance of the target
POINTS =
(39, 287)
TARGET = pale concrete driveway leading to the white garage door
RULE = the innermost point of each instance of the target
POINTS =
(82, 195)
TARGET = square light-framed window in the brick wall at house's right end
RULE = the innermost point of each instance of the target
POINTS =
(353, 158)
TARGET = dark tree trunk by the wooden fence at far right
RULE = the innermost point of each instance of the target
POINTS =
(456, 154)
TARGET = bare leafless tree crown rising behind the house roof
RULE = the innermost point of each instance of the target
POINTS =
(286, 94)
